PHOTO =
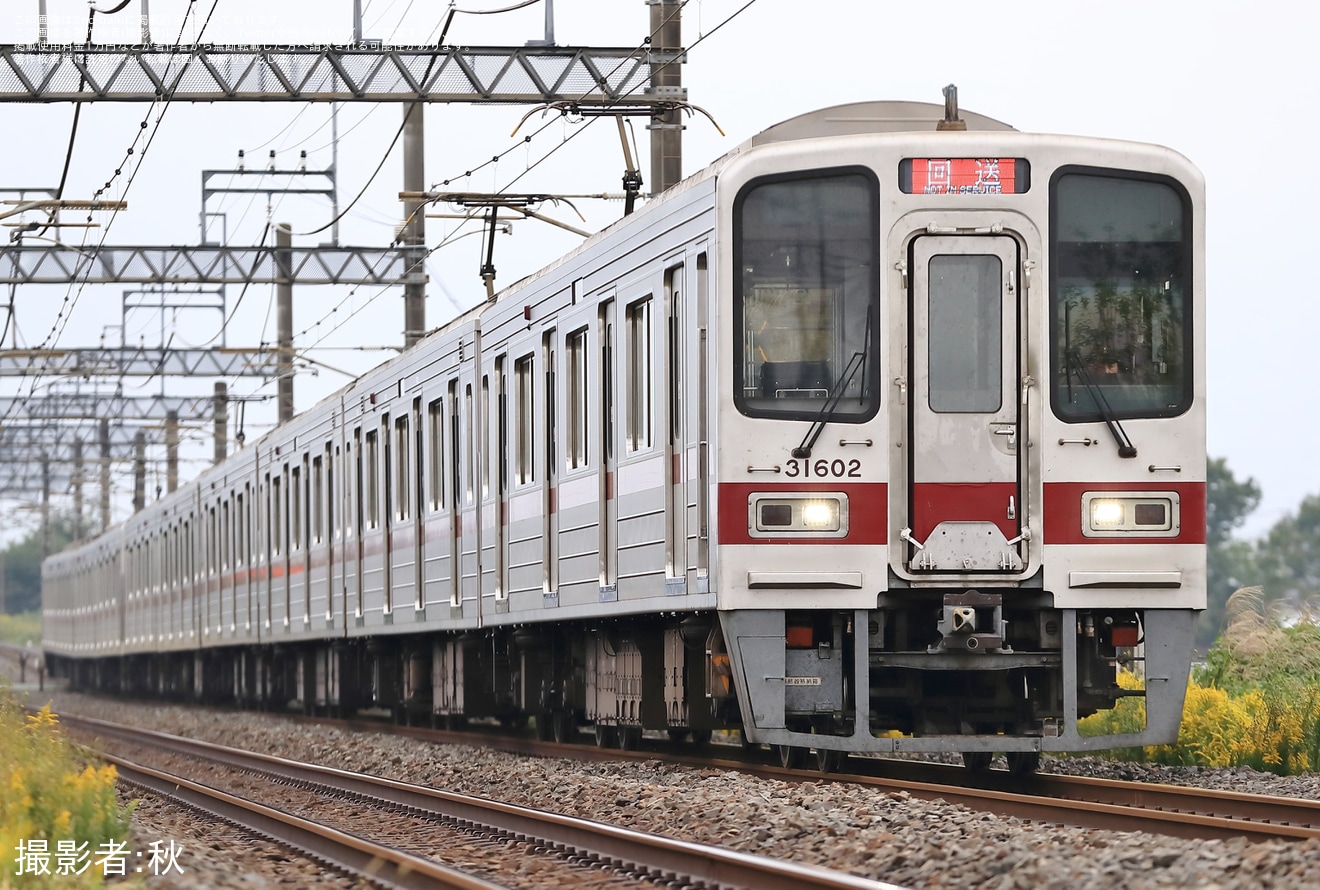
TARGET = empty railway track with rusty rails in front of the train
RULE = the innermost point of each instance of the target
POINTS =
(595, 846)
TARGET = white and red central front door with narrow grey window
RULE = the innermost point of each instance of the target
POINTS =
(966, 497)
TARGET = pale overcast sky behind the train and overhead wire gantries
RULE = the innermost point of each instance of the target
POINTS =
(1228, 85)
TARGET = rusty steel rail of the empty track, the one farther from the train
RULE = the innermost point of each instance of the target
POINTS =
(377, 863)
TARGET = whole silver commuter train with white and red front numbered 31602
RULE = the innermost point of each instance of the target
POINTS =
(885, 432)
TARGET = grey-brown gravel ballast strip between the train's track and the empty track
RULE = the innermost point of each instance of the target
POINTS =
(889, 838)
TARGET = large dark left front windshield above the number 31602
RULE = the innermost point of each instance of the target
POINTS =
(805, 312)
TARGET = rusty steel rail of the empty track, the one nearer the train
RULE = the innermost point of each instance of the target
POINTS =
(633, 850)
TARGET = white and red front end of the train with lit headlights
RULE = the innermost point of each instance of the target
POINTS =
(962, 444)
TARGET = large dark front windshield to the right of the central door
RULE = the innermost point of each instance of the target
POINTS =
(1121, 257)
